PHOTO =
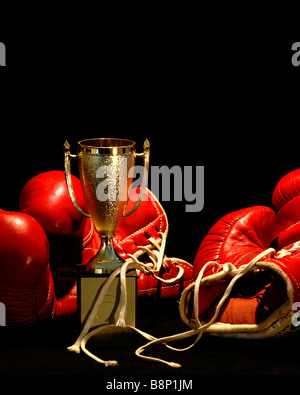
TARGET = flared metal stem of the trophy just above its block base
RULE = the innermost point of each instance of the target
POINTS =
(106, 259)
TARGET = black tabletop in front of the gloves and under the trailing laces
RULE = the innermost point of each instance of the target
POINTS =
(43, 351)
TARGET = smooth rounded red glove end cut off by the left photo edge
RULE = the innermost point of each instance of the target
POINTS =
(26, 286)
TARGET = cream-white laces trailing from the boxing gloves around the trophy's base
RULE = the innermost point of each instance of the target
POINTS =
(155, 251)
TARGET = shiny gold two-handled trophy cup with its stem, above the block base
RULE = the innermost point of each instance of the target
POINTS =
(105, 170)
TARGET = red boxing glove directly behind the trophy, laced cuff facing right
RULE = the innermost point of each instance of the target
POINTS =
(46, 196)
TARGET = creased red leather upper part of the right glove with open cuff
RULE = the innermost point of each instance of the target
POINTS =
(236, 238)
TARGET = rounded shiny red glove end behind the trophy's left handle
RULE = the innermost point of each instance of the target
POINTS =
(46, 198)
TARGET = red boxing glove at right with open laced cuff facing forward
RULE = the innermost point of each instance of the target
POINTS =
(243, 288)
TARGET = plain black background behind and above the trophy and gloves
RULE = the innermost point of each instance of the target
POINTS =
(210, 87)
